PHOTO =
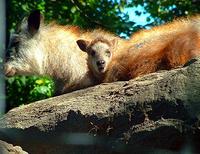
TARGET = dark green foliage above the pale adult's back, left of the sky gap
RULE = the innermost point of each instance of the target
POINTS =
(86, 14)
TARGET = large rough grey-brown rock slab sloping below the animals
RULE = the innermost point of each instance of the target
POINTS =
(157, 113)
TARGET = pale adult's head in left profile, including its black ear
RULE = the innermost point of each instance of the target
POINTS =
(24, 47)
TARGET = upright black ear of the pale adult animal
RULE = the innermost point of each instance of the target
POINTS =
(34, 22)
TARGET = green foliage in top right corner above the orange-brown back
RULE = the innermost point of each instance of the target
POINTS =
(166, 10)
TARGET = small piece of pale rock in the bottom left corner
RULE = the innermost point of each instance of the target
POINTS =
(6, 148)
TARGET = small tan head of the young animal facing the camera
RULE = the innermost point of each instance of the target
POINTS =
(100, 52)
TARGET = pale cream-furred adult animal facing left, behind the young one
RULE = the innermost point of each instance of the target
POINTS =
(51, 50)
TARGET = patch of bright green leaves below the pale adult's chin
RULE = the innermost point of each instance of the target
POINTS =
(22, 90)
